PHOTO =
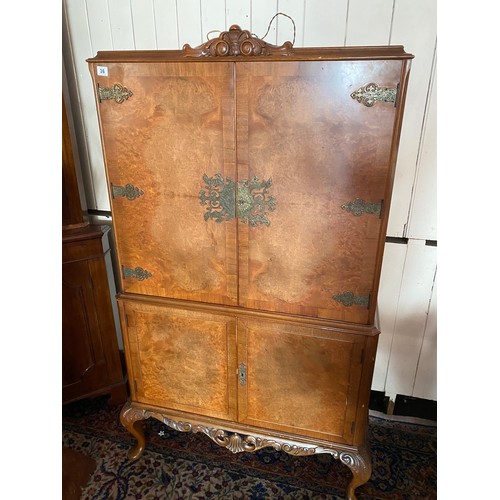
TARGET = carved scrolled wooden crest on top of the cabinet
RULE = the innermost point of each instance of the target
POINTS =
(237, 42)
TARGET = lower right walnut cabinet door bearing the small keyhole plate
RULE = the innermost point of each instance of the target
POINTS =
(299, 379)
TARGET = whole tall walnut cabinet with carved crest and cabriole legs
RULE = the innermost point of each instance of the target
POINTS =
(250, 189)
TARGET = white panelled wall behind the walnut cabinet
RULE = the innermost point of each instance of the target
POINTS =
(406, 359)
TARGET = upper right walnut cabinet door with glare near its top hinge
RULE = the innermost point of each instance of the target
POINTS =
(314, 179)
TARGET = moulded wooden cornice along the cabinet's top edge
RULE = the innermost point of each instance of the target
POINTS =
(294, 54)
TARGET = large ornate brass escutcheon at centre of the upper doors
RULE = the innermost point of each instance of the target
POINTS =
(248, 200)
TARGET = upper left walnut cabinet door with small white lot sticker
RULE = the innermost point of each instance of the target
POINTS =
(169, 137)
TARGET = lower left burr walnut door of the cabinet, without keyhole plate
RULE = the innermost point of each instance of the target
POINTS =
(181, 359)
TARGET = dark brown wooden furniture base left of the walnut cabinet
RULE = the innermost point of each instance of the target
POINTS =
(90, 355)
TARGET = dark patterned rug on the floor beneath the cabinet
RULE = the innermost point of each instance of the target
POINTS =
(190, 466)
